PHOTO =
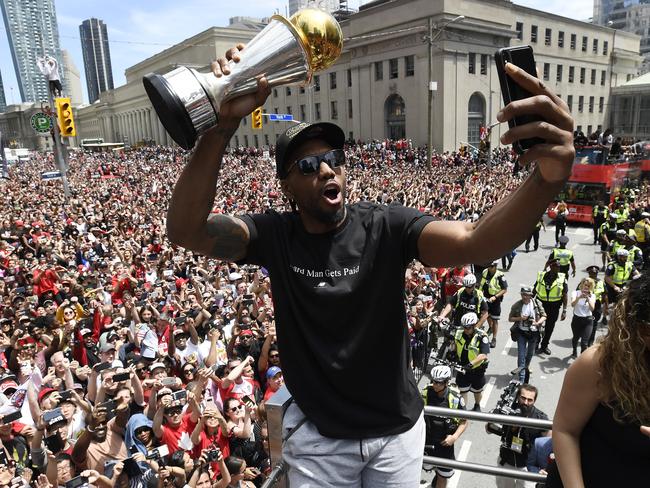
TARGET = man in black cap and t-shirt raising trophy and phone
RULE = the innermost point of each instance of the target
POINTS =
(337, 270)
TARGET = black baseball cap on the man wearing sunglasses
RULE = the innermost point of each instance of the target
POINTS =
(297, 134)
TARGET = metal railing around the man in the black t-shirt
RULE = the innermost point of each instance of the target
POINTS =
(278, 403)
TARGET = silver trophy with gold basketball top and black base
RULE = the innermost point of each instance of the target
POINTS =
(286, 52)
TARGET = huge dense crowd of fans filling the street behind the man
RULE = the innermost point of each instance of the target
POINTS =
(127, 361)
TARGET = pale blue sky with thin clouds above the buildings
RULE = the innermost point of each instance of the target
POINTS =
(138, 29)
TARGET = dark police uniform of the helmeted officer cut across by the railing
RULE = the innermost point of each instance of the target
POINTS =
(438, 428)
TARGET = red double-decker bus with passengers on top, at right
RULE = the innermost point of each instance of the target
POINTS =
(594, 177)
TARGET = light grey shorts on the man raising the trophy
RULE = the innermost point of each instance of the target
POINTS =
(393, 461)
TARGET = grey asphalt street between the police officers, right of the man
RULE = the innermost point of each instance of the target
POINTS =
(547, 372)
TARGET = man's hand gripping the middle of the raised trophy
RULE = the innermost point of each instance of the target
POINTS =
(238, 108)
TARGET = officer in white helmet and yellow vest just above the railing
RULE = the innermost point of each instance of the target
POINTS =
(472, 349)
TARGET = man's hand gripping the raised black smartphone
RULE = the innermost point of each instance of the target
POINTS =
(555, 156)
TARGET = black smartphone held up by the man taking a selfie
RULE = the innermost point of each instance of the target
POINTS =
(522, 57)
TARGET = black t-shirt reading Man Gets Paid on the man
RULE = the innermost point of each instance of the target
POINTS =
(340, 315)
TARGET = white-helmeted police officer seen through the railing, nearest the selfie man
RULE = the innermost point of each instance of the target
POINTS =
(442, 432)
